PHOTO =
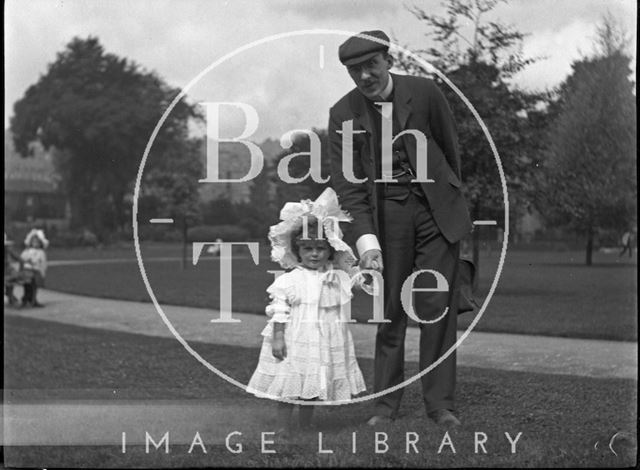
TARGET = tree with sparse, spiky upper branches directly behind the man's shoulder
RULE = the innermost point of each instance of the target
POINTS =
(480, 57)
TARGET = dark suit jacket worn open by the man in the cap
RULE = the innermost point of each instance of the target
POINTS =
(418, 104)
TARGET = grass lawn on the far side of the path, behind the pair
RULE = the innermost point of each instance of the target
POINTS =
(546, 293)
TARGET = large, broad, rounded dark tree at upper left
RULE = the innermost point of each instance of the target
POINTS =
(98, 110)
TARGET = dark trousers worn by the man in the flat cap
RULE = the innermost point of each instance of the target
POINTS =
(411, 241)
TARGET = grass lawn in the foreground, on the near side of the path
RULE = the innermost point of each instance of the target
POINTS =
(561, 417)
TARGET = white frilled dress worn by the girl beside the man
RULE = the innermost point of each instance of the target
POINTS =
(320, 360)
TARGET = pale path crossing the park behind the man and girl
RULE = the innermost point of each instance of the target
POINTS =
(551, 355)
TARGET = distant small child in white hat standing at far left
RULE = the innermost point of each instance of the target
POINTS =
(34, 268)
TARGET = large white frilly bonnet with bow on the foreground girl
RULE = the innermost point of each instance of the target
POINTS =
(326, 210)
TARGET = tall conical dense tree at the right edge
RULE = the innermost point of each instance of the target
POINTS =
(590, 172)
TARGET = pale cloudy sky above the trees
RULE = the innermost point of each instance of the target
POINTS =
(291, 80)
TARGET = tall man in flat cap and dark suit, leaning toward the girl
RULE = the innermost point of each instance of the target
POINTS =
(402, 226)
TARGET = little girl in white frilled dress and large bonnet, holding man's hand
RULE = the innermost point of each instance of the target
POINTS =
(307, 351)
